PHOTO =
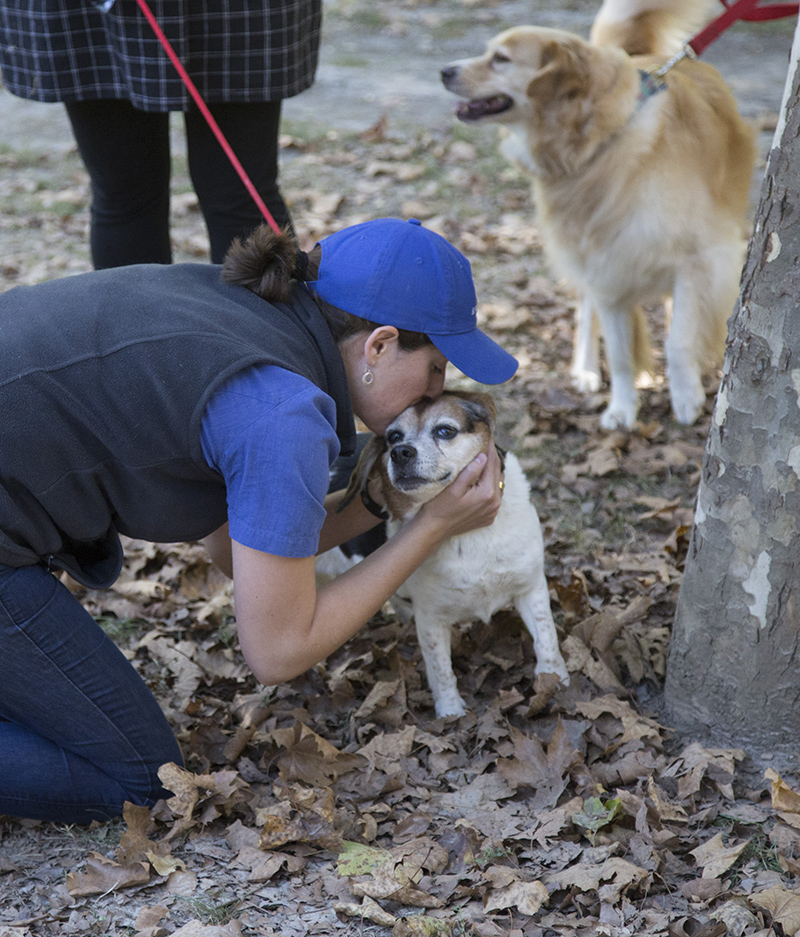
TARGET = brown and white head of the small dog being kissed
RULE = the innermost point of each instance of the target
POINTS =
(423, 450)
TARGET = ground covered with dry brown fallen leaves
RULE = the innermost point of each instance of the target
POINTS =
(338, 804)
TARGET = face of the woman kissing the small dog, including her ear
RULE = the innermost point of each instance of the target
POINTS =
(400, 378)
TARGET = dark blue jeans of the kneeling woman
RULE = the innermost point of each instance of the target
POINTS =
(80, 732)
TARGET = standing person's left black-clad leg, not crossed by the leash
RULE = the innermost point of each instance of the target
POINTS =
(126, 153)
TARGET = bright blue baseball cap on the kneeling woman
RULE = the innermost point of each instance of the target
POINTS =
(399, 273)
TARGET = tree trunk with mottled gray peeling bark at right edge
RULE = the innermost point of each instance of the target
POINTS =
(733, 672)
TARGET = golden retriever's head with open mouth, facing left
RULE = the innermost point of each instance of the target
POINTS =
(567, 94)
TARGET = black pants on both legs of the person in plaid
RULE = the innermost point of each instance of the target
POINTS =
(127, 155)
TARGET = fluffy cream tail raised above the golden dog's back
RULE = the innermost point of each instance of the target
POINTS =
(649, 27)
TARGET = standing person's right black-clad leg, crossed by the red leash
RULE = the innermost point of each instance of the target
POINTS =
(228, 208)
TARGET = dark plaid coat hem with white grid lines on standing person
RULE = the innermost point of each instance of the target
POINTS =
(239, 50)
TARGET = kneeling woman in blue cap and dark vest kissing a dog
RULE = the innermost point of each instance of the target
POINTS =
(193, 402)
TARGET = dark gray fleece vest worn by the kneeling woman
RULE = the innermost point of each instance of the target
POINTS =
(104, 378)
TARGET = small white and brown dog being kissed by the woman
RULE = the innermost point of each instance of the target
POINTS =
(474, 575)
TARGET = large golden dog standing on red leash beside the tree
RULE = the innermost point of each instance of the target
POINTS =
(641, 186)
